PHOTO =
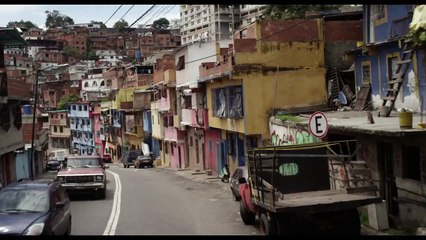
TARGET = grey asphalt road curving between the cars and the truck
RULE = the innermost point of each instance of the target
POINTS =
(152, 201)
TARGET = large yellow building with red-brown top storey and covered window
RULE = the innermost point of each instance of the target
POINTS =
(276, 64)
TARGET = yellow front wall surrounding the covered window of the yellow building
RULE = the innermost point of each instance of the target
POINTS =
(234, 125)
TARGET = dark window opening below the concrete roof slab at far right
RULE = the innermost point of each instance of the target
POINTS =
(412, 168)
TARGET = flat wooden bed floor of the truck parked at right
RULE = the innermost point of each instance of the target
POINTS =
(318, 201)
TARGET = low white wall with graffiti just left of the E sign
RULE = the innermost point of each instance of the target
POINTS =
(284, 135)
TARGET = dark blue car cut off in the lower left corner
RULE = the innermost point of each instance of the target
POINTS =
(39, 207)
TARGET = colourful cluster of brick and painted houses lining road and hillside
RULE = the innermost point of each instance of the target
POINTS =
(201, 104)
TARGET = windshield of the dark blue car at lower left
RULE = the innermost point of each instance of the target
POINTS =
(23, 200)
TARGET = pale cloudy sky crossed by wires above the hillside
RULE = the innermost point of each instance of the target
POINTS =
(87, 13)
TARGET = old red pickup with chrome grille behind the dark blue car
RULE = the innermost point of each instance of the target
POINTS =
(84, 173)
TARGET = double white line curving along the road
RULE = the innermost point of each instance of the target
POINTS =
(115, 212)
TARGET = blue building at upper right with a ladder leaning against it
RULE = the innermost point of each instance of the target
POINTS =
(376, 62)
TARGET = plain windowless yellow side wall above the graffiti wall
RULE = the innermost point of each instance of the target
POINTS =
(300, 88)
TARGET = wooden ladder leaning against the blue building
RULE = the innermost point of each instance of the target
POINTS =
(395, 83)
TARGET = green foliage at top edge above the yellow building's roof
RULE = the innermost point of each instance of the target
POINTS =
(294, 11)
